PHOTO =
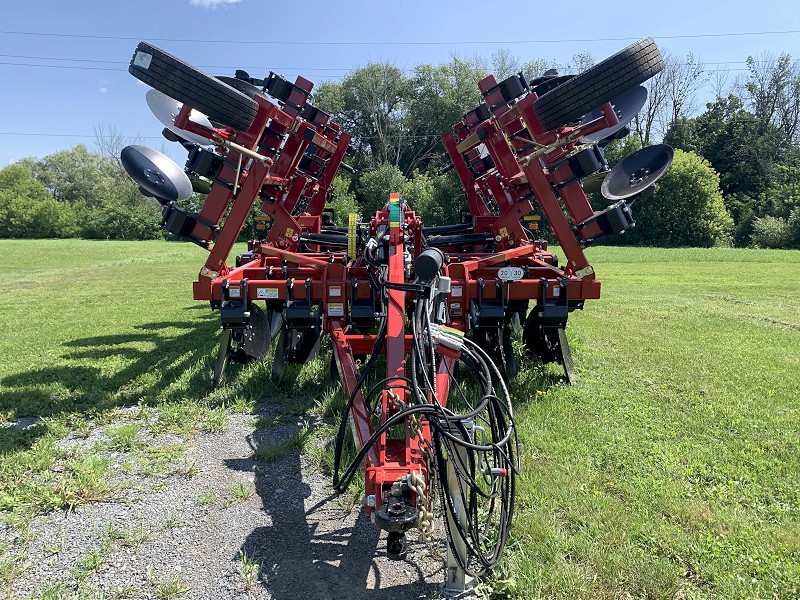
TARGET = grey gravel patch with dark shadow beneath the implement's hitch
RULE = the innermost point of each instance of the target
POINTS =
(308, 544)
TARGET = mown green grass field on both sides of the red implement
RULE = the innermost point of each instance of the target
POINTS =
(671, 470)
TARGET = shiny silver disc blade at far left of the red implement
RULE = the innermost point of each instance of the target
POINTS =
(156, 173)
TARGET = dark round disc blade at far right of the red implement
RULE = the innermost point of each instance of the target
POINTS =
(637, 172)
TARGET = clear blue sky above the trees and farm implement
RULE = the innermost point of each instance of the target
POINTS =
(88, 44)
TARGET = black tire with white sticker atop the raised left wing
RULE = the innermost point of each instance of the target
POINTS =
(170, 75)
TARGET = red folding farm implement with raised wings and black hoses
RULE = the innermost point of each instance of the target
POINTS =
(423, 306)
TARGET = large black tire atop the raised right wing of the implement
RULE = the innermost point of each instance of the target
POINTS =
(606, 80)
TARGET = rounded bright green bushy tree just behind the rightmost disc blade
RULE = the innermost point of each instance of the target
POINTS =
(686, 209)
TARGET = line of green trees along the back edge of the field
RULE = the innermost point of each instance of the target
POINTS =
(733, 181)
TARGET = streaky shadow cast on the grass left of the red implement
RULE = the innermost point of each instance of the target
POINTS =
(156, 361)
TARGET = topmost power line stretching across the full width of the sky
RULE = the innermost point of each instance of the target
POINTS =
(397, 42)
